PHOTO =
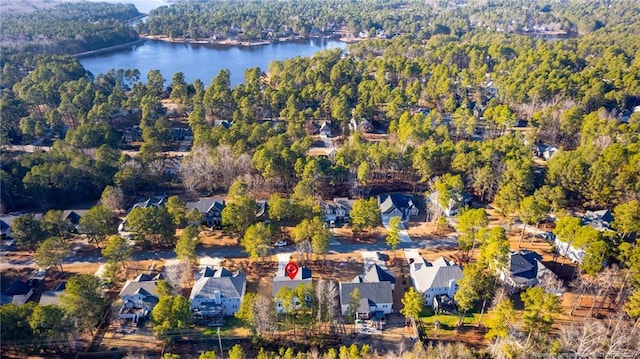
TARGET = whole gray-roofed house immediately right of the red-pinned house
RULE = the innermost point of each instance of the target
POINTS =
(376, 293)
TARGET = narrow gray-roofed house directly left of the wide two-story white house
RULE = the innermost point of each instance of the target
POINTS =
(139, 296)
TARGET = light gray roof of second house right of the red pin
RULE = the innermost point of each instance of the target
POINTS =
(435, 275)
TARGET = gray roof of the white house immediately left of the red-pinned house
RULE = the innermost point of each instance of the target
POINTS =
(230, 285)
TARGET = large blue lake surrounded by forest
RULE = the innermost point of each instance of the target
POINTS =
(202, 62)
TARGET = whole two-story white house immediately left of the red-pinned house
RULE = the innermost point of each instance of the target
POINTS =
(217, 293)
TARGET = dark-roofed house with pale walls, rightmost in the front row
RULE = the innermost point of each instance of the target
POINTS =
(525, 270)
